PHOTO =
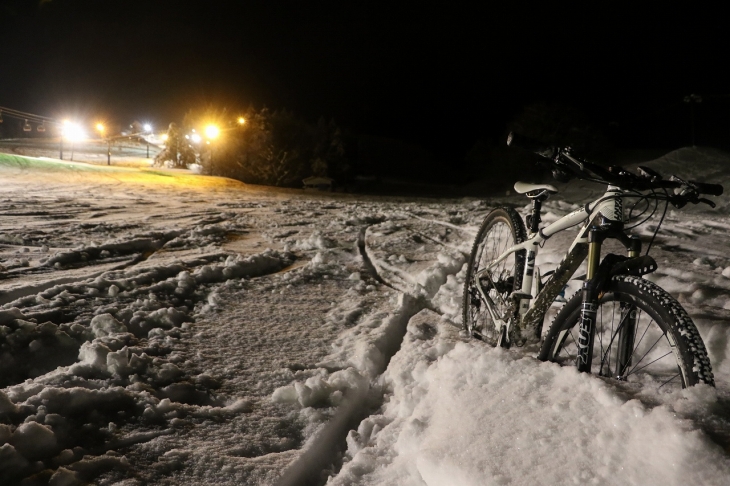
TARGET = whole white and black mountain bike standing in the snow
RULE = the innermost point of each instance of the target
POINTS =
(619, 325)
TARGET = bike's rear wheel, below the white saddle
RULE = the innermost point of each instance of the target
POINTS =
(501, 229)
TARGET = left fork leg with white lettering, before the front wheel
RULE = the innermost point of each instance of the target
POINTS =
(587, 325)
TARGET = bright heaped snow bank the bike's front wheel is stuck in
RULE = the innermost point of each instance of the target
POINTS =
(464, 414)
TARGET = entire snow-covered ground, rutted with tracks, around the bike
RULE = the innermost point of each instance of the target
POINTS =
(159, 327)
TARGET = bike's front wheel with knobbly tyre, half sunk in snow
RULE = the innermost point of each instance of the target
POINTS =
(643, 336)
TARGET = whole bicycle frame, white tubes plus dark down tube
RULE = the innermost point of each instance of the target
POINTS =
(609, 206)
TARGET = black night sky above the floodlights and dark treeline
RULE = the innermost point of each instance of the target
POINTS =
(440, 74)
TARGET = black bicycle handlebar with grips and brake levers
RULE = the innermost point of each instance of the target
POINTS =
(565, 163)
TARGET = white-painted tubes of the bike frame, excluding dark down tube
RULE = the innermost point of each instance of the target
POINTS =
(609, 206)
